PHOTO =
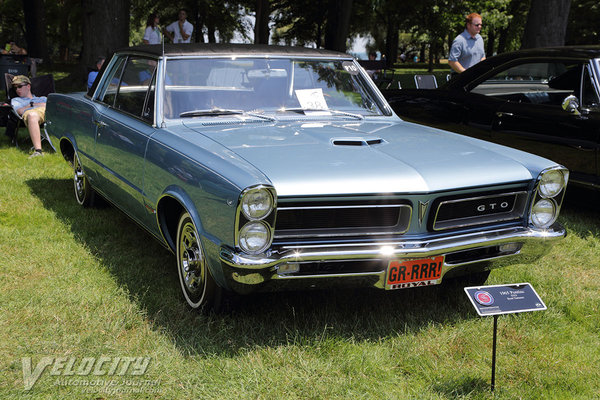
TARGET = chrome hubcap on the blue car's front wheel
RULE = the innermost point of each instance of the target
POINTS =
(191, 260)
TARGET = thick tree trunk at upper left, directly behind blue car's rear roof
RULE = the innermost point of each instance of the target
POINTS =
(105, 28)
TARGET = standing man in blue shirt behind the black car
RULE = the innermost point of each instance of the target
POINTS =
(467, 48)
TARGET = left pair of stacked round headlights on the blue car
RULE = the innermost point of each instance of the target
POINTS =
(255, 223)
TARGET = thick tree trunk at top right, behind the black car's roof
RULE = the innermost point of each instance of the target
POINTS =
(546, 23)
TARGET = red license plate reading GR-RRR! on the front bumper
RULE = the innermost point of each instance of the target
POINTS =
(413, 273)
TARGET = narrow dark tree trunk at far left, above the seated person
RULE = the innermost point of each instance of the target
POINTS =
(35, 29)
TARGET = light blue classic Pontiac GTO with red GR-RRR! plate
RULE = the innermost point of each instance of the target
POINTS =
(266, 168)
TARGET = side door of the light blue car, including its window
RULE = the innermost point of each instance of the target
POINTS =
(124, 127)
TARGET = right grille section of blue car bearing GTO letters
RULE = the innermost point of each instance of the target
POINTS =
(483, 208)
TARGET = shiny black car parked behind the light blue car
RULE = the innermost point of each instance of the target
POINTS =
(544, 101)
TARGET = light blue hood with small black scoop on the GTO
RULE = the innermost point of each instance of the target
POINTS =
(317, 158)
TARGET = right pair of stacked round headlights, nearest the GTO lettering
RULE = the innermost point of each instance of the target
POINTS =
(548, 198)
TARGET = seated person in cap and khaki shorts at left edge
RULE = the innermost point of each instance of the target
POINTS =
(31, 108)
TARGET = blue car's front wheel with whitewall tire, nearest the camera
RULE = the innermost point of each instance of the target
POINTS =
(198, 286)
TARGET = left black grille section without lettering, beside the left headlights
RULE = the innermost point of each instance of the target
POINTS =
(315, 218)
